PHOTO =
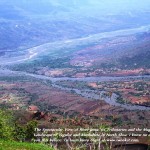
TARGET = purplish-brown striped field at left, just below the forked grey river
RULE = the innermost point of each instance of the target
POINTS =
(49, 95)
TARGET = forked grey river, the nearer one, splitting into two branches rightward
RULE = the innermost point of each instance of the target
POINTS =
(91, 94)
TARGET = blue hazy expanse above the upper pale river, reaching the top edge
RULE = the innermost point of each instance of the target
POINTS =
(28, 23)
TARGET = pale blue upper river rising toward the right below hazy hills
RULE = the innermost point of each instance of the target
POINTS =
(42, 49)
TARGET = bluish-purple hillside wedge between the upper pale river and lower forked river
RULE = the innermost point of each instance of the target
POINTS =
(111, 56)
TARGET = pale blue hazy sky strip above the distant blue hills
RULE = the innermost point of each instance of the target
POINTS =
(89, 6)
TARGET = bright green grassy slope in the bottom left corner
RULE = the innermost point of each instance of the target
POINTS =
(12, 145)
